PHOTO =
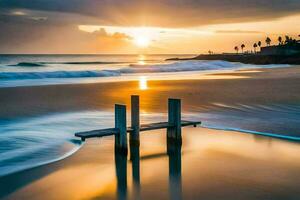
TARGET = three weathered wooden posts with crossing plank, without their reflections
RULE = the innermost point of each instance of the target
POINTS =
(173, 125)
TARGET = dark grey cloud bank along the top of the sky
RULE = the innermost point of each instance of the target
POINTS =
(167, 13)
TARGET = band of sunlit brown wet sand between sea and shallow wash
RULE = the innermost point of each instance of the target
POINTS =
(257, 86)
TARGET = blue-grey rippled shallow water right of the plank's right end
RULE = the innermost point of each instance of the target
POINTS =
(274, 119)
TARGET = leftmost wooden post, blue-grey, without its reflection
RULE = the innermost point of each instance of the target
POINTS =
(120, 123)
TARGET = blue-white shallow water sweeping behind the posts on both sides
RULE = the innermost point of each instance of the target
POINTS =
(30, 142)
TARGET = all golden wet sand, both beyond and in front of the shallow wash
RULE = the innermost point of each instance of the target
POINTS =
(214, 164)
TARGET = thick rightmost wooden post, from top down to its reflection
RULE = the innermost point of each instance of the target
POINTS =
(174, 119)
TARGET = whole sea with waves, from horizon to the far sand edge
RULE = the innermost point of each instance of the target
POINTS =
(30, 70)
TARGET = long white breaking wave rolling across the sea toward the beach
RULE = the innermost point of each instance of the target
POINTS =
(185, 66)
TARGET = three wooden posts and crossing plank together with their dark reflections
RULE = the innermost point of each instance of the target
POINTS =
(174, 142)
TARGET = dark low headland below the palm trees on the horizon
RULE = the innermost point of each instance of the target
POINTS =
(256, 59)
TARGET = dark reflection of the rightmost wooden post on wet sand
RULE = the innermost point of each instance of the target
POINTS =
(175, 180)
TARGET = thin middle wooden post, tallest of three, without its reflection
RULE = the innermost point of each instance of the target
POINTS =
(135, 120)
